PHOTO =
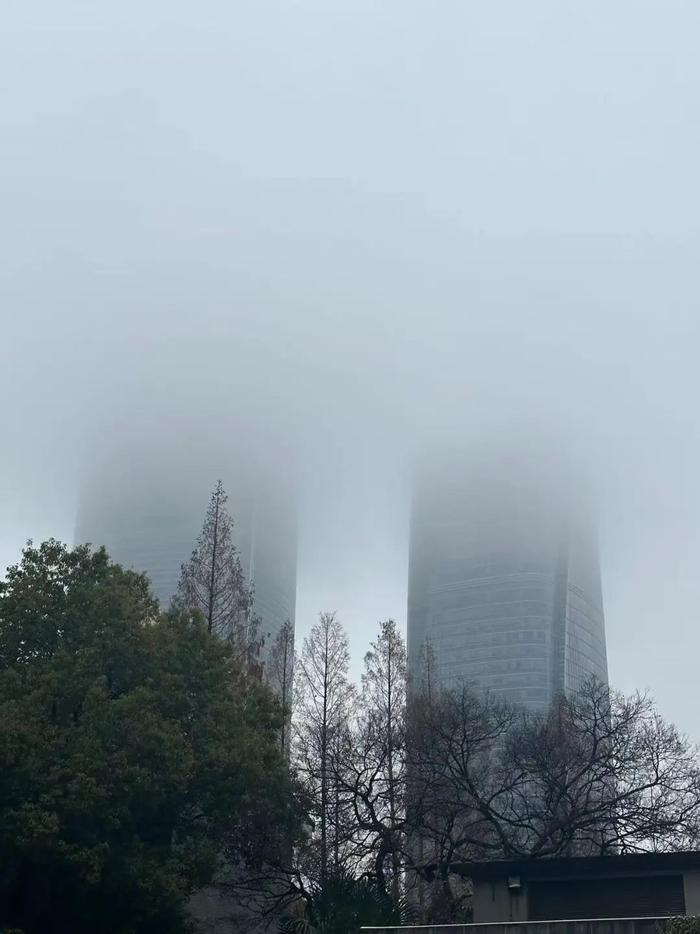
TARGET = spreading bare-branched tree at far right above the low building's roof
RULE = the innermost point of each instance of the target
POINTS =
(605, 773)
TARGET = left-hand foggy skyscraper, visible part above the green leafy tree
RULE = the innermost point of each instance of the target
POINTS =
(146, 504)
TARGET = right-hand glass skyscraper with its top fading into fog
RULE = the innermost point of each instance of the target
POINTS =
(504, 576)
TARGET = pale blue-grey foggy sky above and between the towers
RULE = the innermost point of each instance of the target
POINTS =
(350, 231)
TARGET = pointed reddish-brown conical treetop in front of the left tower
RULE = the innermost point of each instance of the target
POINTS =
(213, 582)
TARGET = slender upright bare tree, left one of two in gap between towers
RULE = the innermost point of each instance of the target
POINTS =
(323, 707)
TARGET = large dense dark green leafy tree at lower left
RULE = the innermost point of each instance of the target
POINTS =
(131, 749)
